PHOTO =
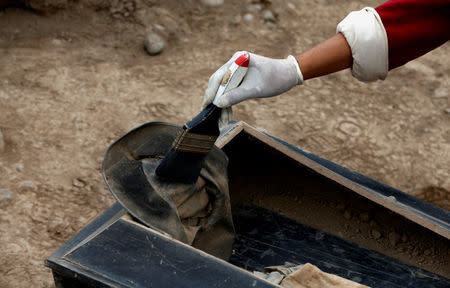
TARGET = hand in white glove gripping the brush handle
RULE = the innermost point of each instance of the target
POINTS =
(266, 77)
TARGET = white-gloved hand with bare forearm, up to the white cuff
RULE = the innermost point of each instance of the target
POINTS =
(268, 77)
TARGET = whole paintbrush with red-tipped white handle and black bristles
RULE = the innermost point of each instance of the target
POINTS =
(183, 162)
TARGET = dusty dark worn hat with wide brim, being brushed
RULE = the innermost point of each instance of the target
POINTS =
(198, 214)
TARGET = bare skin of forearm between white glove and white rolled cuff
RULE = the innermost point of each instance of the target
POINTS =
(329, 56)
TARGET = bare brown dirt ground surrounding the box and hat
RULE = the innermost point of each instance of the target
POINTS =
(74, 76)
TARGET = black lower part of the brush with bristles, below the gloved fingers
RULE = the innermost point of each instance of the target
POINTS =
(185, 159)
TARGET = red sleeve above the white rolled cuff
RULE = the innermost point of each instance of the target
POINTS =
(414, 27)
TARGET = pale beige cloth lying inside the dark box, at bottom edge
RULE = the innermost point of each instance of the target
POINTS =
(304, 276)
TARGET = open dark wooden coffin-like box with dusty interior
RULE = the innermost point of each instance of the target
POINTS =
(288, 206)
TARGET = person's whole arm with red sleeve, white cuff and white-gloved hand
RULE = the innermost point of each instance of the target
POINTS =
(370, 41)
